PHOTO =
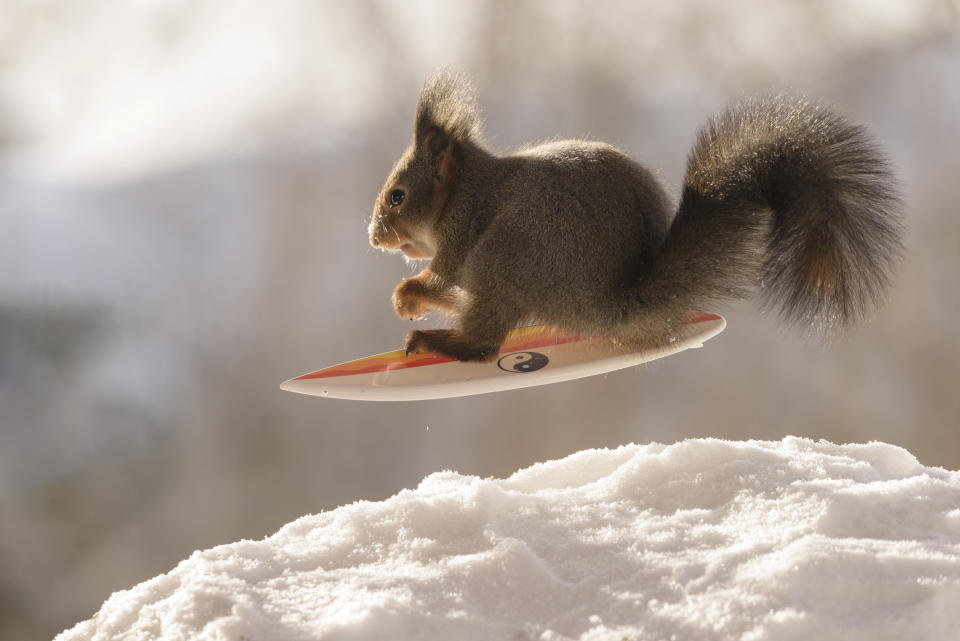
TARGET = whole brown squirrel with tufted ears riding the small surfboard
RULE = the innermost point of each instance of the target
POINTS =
(781, 195)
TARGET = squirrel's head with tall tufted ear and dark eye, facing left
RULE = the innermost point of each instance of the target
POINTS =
(417, 189)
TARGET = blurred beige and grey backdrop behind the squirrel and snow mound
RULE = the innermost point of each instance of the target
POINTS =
(184, 192)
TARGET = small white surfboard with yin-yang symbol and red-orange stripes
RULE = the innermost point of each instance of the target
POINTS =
(535, 355)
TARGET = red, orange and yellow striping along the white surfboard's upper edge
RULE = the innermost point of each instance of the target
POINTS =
(397, 360)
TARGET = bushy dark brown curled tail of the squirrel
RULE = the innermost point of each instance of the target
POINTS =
(788, 197)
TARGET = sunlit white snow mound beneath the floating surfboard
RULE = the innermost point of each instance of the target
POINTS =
(702, 539)
